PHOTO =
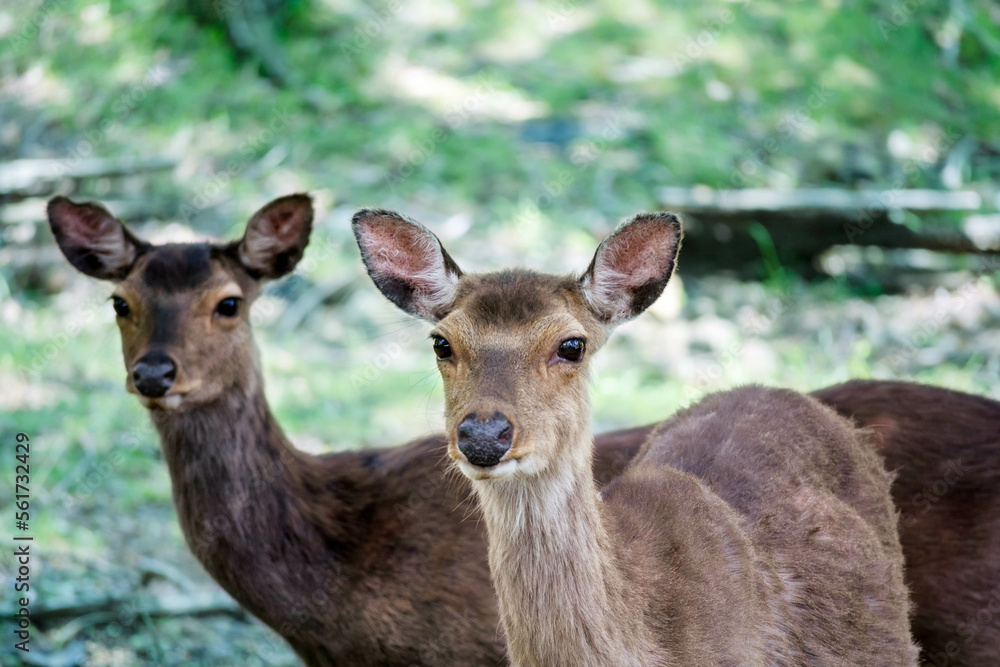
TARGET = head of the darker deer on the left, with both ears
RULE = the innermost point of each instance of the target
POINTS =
(183, 309)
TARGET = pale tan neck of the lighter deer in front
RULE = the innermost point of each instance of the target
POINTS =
(559, 580)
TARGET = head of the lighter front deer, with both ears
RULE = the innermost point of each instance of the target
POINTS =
(513, 347)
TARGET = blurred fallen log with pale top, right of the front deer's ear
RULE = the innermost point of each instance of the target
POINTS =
(723, 228)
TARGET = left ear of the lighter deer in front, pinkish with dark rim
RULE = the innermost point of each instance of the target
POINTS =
(407, 263)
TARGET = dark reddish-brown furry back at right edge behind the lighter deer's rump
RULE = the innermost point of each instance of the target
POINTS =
(945, 448)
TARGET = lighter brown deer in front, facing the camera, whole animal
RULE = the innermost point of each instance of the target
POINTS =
(754, 528)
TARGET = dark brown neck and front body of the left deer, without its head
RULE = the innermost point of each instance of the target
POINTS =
(361, 558)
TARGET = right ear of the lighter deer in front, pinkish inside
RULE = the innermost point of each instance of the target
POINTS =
(632, 266)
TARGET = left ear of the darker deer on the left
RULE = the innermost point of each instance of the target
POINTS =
(93, 240)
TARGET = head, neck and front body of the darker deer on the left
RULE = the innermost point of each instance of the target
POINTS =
(358, 558)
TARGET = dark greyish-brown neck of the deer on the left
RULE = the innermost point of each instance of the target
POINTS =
(246, 499)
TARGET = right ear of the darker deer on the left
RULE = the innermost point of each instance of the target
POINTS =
(276, 237)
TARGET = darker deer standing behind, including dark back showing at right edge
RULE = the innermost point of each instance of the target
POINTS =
(353, 546)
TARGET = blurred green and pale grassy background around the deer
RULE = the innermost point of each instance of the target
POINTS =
(863, 136)
